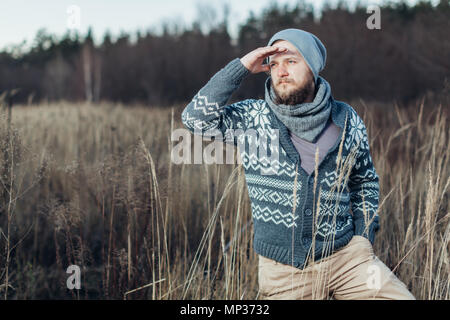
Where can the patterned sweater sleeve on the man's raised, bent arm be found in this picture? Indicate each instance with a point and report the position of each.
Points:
(208, 111)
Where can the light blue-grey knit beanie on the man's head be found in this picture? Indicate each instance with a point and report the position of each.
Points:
(309, 46)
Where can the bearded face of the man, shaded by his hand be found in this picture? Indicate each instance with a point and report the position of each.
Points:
(292, 80)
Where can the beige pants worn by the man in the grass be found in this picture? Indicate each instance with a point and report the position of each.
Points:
(352, 272)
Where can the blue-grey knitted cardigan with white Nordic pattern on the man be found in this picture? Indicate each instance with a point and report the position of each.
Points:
(292, 225)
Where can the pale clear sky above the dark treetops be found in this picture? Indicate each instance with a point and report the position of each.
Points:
(21, 19)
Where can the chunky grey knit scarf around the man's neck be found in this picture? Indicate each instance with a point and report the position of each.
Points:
(305, 120)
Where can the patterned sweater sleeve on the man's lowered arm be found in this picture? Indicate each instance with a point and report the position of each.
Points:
(364, 190)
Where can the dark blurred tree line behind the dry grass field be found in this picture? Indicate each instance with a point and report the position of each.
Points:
(405, 59)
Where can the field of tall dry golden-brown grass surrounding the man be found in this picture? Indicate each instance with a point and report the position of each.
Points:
(93, 185)
